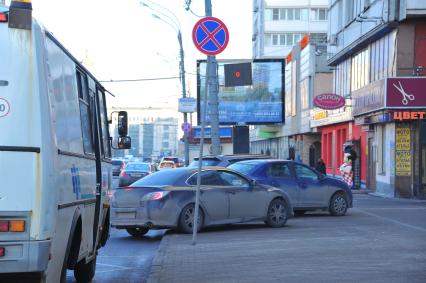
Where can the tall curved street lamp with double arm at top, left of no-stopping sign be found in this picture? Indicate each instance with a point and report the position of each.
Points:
(177, 28)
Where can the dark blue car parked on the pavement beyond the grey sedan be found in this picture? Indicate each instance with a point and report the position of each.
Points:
(307, 188)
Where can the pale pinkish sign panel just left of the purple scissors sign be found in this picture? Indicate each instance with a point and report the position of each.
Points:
(369, 98)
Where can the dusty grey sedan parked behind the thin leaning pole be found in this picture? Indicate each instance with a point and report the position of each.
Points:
(165, 199)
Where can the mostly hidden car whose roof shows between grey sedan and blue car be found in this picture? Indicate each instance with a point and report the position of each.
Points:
(226, 160)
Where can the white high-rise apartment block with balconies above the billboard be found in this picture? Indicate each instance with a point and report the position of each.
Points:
(280, 24)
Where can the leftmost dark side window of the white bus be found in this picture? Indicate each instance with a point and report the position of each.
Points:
(85, 113)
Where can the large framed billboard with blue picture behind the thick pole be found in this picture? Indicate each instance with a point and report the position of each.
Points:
(256, 104)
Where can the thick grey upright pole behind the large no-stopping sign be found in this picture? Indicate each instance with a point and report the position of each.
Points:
(213, 93)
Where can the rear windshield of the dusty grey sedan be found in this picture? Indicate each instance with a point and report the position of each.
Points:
(162, 178)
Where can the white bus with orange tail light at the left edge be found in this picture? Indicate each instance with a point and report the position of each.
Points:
(55, 156)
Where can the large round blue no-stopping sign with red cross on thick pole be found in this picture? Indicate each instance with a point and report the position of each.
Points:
(210, 35)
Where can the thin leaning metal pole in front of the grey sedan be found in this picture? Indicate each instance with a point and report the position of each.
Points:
(200, 160)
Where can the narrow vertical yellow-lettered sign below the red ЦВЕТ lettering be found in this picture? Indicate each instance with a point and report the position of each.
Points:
(403, 151)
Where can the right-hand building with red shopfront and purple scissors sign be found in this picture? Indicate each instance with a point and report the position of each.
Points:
(377, 49)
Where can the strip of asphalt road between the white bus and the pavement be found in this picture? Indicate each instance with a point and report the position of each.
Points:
(124, 258)
